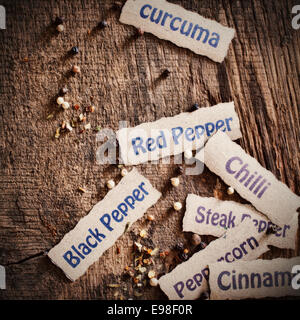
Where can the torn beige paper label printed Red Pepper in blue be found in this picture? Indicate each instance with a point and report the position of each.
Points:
(171, 136)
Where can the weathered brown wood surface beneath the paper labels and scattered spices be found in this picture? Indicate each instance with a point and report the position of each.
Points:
(40, 175)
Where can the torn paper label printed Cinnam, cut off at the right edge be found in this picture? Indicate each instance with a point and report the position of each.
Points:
(255, 279)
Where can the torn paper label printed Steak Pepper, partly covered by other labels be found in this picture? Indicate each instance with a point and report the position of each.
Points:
(210, 216)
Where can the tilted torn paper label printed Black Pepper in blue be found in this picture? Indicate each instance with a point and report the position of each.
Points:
(105, 223)
